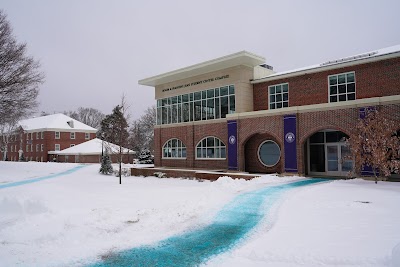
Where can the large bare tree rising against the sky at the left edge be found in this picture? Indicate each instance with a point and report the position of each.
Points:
(19, 76)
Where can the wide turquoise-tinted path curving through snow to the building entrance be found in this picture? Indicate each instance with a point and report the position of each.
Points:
(230, 226)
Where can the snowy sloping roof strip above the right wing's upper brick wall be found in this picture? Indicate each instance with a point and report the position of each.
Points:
(368, 55)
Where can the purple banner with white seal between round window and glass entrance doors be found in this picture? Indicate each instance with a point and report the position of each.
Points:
(290, 136)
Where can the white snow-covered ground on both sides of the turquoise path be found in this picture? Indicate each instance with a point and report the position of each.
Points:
(71, 219)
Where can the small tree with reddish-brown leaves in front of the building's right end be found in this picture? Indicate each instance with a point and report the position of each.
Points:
(376, 143)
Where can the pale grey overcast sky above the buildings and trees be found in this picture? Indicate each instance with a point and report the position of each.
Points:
(93, 51)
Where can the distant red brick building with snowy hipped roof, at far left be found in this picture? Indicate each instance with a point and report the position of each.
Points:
(38, 139)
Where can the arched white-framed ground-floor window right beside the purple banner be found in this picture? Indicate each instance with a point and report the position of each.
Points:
(211, 148)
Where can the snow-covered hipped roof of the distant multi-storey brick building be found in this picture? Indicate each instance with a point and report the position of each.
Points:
(55, 121)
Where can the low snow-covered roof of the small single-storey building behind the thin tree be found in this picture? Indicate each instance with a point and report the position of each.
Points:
(92, 147)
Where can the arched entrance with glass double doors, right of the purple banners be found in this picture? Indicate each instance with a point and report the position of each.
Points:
(327, 154)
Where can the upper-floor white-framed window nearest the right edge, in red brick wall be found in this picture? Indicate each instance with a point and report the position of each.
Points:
(342, 87)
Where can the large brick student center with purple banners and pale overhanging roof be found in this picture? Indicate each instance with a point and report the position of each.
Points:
(236, 113)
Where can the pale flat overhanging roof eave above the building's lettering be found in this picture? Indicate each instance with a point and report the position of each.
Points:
(236, 59)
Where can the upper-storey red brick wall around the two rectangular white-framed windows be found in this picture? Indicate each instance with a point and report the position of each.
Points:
(372, 80)
